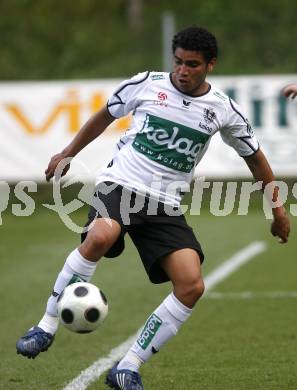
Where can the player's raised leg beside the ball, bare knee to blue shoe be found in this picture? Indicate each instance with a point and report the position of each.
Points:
(80, 265)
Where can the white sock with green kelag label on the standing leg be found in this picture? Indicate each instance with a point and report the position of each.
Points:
(159, 328)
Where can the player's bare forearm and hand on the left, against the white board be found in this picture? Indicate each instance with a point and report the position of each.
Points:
(90, 130)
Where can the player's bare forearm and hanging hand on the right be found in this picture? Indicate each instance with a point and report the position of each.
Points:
(261, 171)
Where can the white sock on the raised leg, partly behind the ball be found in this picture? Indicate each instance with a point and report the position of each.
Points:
(76, 269)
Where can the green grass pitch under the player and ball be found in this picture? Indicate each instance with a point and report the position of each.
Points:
(229, 343)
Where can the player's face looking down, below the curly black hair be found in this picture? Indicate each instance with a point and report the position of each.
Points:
(190, 70)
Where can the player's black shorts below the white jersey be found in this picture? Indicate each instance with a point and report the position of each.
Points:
(154, 233)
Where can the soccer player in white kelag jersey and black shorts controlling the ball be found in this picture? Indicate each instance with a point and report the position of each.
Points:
(174, 117)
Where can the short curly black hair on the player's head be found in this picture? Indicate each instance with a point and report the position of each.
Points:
(196, 39)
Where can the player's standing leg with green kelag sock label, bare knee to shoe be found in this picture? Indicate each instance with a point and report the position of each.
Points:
(184, 270)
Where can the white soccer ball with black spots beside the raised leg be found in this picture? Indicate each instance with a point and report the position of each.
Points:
(82, 307)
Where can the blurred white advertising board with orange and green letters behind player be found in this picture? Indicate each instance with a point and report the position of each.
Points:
(38, 119)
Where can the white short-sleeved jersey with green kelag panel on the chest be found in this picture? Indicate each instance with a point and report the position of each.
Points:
(170, 133)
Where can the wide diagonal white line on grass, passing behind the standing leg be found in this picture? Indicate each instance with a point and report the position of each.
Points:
(92, 373)
